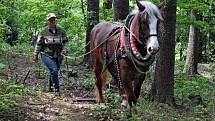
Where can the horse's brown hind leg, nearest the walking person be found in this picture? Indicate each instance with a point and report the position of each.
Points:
(100, 83)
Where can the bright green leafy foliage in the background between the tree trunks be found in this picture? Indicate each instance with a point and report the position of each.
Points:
(30, 15)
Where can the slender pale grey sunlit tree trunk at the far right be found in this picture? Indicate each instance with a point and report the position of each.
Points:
(192, 50)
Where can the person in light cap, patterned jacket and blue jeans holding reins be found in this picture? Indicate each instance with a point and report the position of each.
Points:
(52, 43)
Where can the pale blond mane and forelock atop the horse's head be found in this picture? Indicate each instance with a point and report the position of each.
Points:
(151, 9)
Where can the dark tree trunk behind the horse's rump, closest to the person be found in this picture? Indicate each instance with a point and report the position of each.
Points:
(92, 20)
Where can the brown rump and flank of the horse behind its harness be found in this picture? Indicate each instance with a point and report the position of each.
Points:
(99, 36)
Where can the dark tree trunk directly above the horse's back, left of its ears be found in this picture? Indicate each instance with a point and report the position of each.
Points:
(121, 9)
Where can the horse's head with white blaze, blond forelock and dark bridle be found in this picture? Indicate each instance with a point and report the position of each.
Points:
(148, 16)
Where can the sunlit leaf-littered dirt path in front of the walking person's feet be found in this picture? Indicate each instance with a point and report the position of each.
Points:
(47, 107)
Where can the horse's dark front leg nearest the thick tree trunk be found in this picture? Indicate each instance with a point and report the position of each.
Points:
(137, 85)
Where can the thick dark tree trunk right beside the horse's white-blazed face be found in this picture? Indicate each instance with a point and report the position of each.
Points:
(163, 86)
